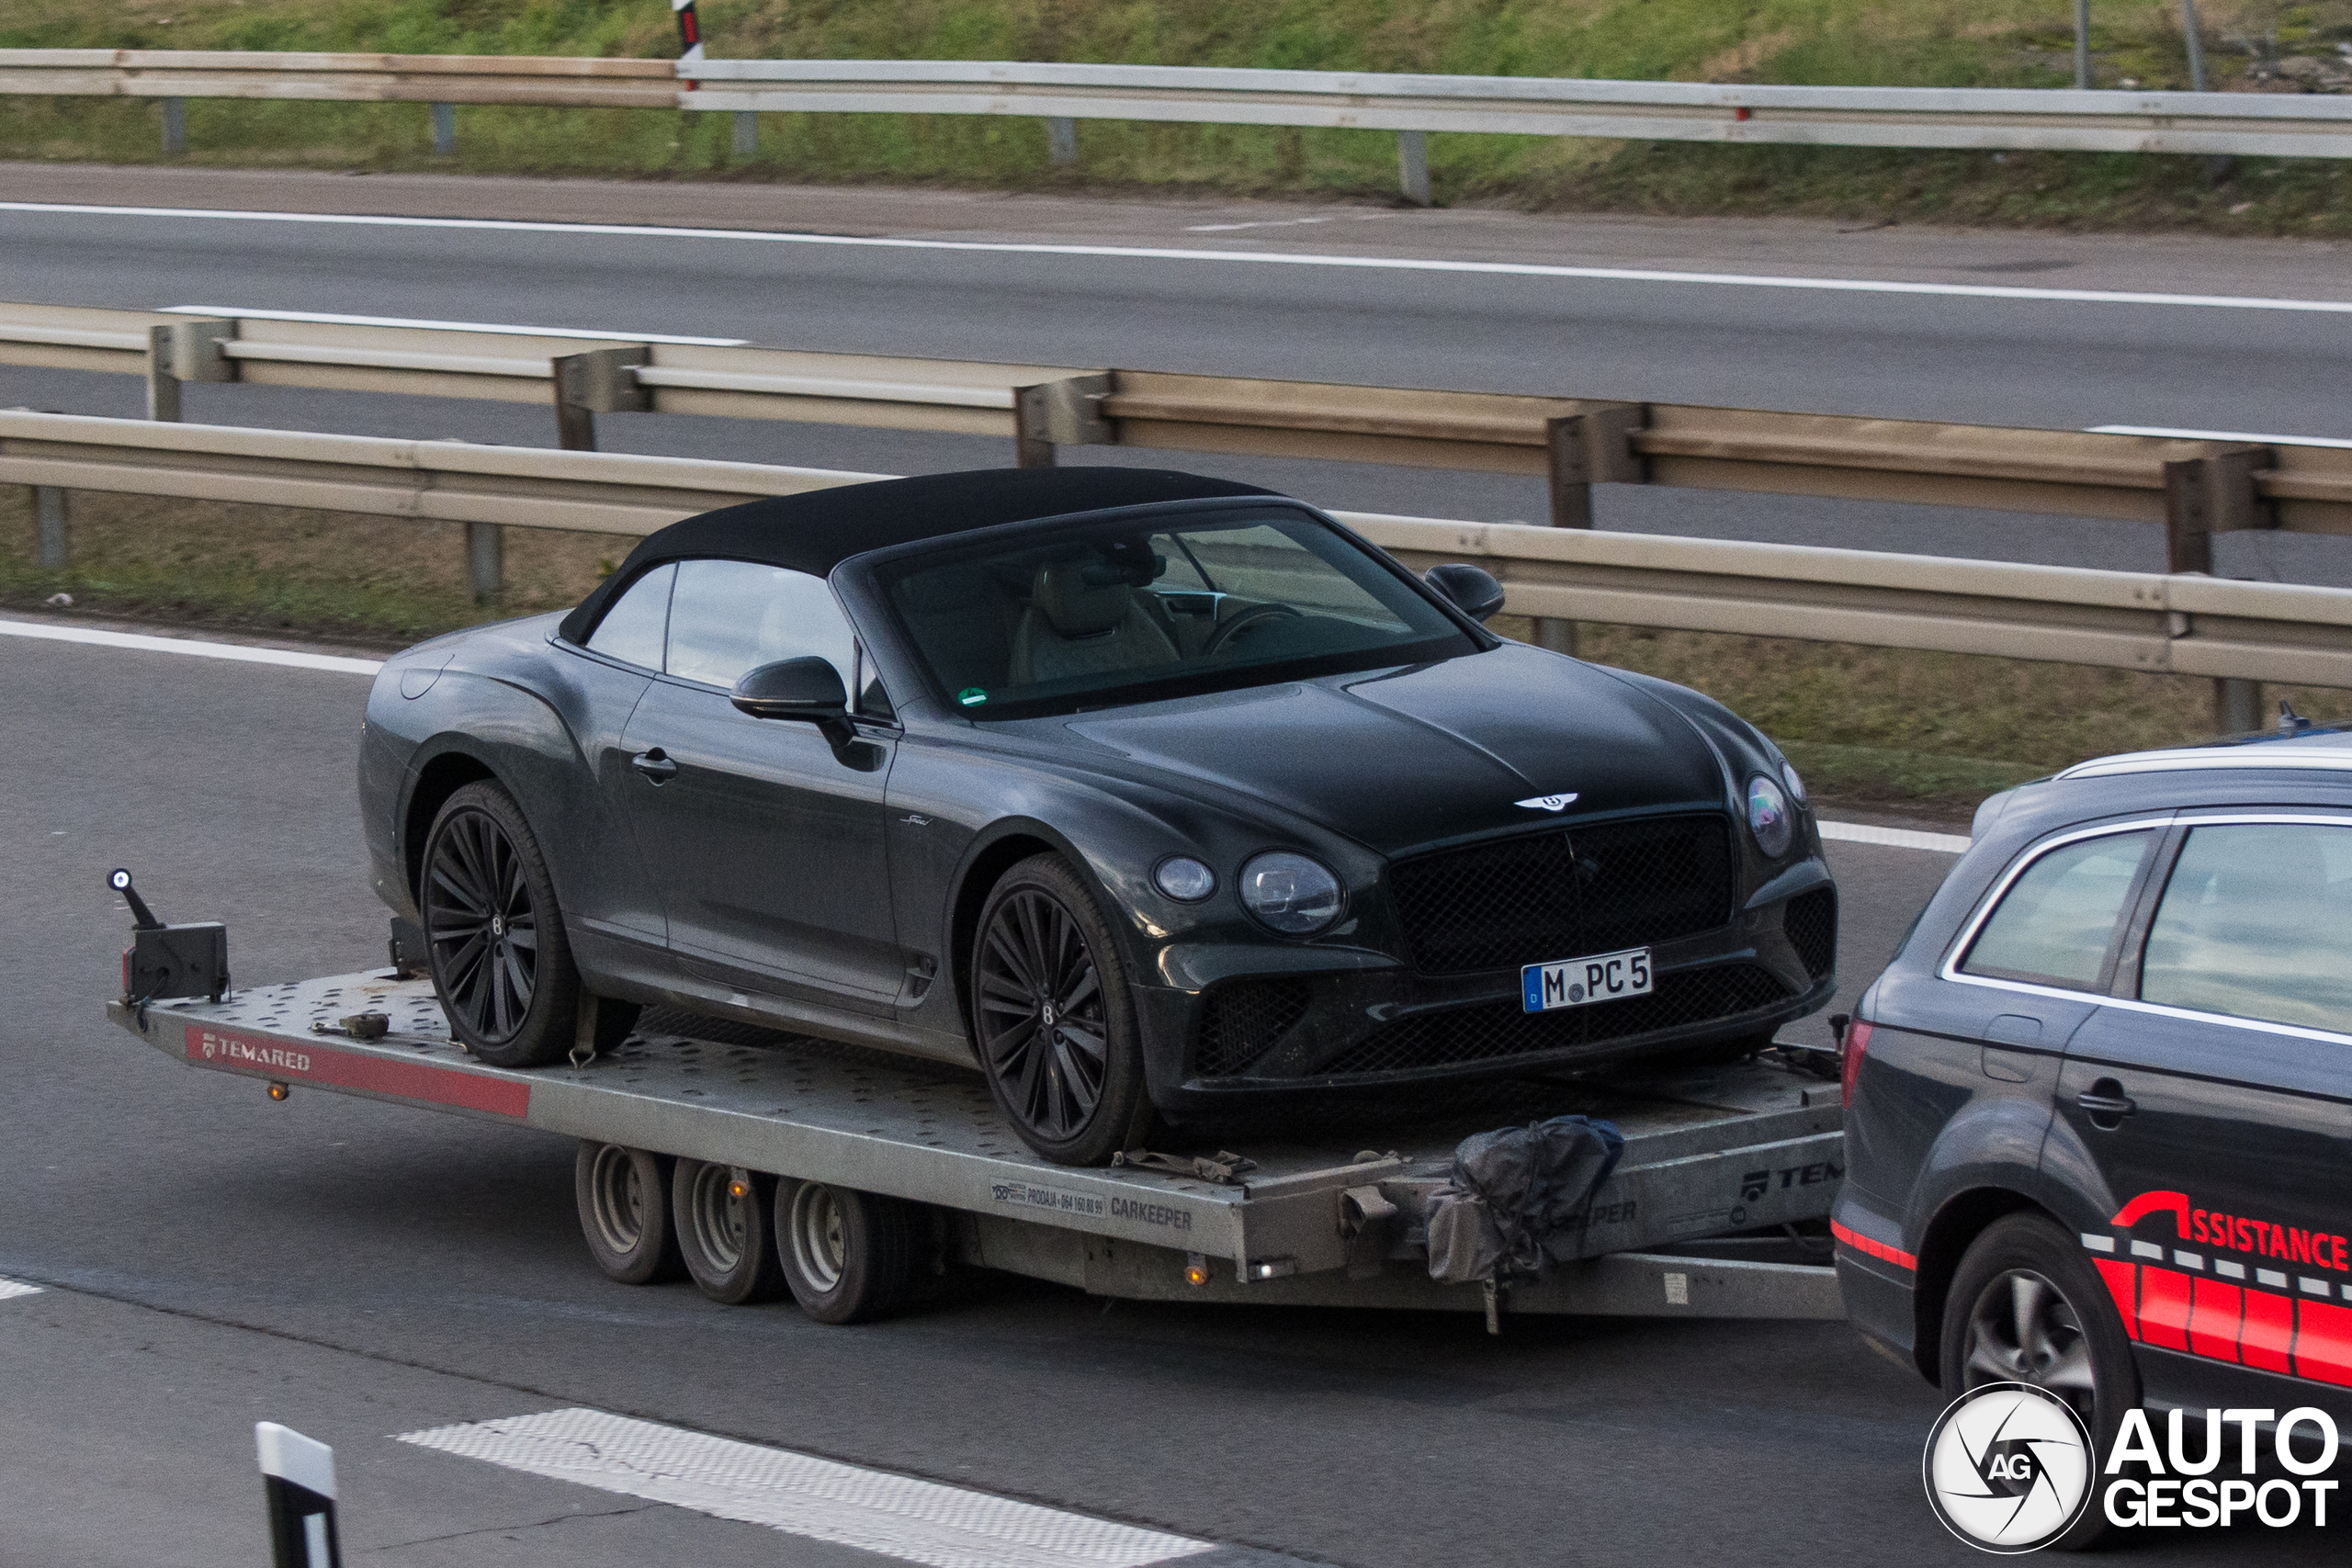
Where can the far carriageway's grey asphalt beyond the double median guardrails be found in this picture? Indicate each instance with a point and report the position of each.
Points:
(1916, 356)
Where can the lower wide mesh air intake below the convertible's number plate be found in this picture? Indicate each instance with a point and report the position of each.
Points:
(1502, 1028)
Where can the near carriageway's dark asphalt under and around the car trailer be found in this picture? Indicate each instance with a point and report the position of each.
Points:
(361, 1271)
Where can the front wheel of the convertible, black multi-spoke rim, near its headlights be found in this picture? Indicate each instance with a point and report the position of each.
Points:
(1048, 989)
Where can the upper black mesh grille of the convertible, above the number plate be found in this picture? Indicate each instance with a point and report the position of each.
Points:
(1565, 894)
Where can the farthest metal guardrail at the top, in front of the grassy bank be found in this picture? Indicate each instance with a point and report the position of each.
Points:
(1412, 107)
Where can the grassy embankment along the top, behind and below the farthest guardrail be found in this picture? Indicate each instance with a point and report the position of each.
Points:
(1932, 43)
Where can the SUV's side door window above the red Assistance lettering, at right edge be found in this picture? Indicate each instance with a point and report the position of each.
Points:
(2257, 923)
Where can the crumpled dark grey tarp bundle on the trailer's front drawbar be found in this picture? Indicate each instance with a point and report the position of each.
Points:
(1518, 1200)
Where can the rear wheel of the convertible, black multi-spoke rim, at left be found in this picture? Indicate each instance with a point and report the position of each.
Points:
(495, 937)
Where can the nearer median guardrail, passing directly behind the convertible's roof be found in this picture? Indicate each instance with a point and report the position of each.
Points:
(2113, 619)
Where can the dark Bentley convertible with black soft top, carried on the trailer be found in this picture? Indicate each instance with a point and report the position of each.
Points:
(1140, 791)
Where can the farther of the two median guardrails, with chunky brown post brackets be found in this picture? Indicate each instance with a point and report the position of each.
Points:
(2196, 488)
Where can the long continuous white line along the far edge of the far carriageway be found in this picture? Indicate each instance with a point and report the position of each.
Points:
(1147, 253)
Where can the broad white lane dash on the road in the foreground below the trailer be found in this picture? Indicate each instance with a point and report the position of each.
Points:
(918, 1522)
